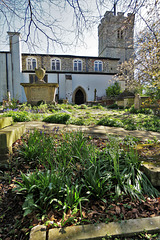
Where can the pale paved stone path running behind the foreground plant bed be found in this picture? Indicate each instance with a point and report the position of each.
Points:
(95, 130)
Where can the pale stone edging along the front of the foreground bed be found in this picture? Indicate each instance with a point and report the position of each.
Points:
(97, 231)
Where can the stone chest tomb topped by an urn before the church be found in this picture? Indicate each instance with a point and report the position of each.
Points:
(40, 91)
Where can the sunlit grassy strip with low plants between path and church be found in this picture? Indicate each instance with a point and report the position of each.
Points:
(129, 119)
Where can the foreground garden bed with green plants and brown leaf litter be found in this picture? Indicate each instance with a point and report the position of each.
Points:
(97, 191)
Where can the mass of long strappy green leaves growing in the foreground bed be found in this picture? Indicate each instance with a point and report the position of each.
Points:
(75, 170)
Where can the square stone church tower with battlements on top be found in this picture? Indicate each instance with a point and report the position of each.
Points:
(115, 34)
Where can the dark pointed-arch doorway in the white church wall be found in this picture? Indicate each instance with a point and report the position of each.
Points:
(79, 96)
